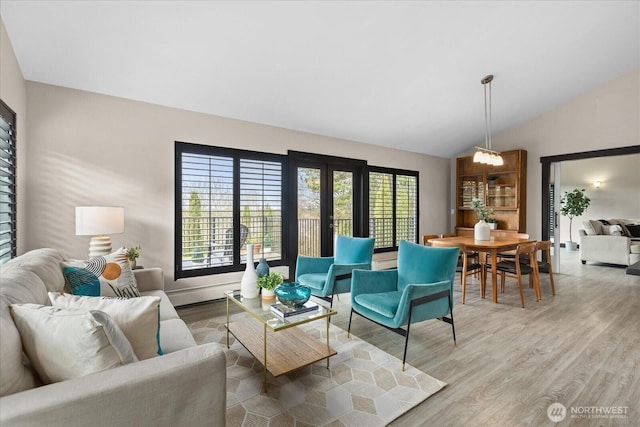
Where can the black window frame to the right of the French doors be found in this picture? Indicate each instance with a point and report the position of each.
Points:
(395, 173)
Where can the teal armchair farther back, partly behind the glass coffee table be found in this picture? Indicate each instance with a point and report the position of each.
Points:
(327, 276)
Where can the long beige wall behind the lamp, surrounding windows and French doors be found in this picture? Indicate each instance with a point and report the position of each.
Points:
(91, 149)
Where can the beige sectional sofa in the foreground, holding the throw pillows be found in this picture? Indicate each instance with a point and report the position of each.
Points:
(184, 387)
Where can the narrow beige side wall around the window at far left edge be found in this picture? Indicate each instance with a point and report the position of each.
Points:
(13, 93)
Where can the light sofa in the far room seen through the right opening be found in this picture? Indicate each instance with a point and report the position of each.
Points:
(611, 243)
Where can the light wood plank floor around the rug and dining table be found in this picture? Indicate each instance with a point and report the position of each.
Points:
(580, 348)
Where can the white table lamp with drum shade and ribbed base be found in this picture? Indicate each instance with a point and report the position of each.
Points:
(97, 221)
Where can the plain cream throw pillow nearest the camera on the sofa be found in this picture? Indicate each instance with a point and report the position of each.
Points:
(65, 343)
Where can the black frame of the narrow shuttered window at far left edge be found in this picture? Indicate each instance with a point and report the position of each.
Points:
(9, 206)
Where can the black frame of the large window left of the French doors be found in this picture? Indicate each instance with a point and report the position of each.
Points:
(237, 155)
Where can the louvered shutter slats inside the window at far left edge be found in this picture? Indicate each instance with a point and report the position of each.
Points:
(8, 241)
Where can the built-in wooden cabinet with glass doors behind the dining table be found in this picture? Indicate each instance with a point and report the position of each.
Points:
(504, 188)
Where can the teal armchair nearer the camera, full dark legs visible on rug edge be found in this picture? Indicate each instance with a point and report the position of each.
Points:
(419, 289)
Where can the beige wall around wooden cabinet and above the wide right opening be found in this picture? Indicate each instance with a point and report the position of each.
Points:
(605, 117)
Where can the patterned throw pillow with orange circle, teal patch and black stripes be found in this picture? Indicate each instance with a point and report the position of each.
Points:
(108, 275)
